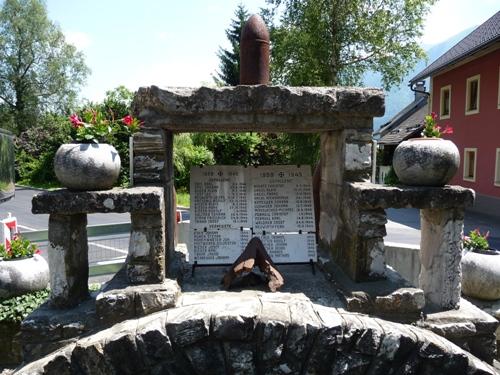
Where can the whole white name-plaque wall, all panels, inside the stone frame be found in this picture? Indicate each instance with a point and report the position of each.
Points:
(232, 204)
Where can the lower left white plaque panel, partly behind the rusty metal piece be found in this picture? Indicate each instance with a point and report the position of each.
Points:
(222, 246)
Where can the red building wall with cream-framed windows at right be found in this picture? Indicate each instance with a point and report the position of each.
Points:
(481, 130)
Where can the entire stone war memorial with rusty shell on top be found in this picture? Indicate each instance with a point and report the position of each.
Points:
(353, 315)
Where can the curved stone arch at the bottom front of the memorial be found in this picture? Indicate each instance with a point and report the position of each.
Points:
(258, 332)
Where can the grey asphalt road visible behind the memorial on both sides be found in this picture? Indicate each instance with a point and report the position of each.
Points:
(403, 225)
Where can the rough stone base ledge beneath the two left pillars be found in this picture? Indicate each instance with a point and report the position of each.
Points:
(49, 328)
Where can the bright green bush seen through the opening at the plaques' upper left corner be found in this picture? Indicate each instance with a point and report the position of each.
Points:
(187, 155)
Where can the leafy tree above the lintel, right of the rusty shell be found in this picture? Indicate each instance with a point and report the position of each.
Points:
(333, 42)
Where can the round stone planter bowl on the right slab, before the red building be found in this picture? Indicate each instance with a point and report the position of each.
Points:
(426, 161)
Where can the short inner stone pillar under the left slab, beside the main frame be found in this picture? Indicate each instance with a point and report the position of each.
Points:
(146, 259)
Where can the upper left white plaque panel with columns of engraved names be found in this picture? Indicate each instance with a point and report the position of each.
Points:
(220, 197)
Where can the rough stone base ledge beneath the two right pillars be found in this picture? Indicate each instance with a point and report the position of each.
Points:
(393, 299)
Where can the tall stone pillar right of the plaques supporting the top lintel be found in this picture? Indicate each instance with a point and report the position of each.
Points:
(346, 156)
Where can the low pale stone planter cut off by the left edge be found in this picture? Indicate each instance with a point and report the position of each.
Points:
(20, 276)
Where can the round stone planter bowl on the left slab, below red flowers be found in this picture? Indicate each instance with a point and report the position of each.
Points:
(87, 166)
